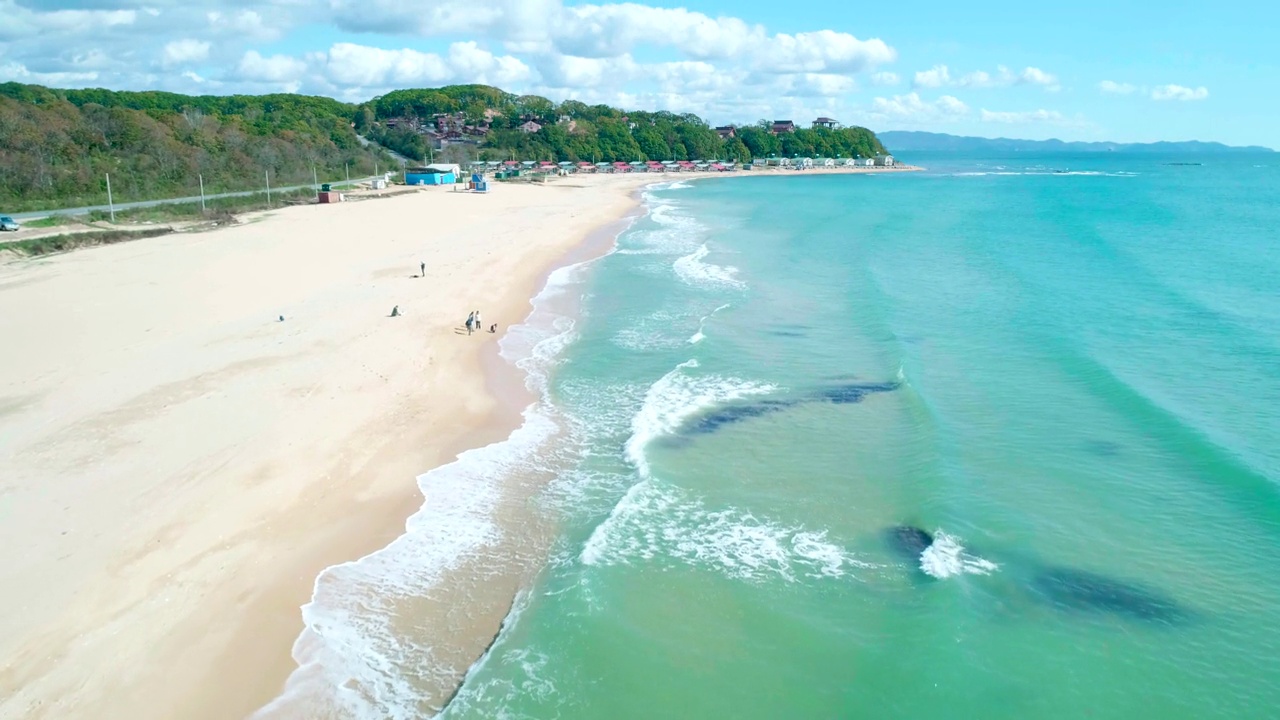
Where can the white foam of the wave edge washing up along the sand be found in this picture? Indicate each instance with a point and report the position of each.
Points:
(354, 660)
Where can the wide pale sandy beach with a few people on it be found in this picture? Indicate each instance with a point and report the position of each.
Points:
(177, 466)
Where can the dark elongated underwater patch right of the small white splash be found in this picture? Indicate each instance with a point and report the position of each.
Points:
(1078, 590)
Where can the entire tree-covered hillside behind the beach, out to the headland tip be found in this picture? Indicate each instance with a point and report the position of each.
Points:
(57, 147)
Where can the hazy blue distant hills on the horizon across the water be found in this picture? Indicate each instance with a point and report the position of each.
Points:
(908, 142)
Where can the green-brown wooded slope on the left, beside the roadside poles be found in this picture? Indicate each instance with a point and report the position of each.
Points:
(57, 147)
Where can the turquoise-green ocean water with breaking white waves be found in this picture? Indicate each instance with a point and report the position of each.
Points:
(1066, 370)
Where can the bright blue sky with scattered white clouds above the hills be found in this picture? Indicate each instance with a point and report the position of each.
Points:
(1085, 71)
